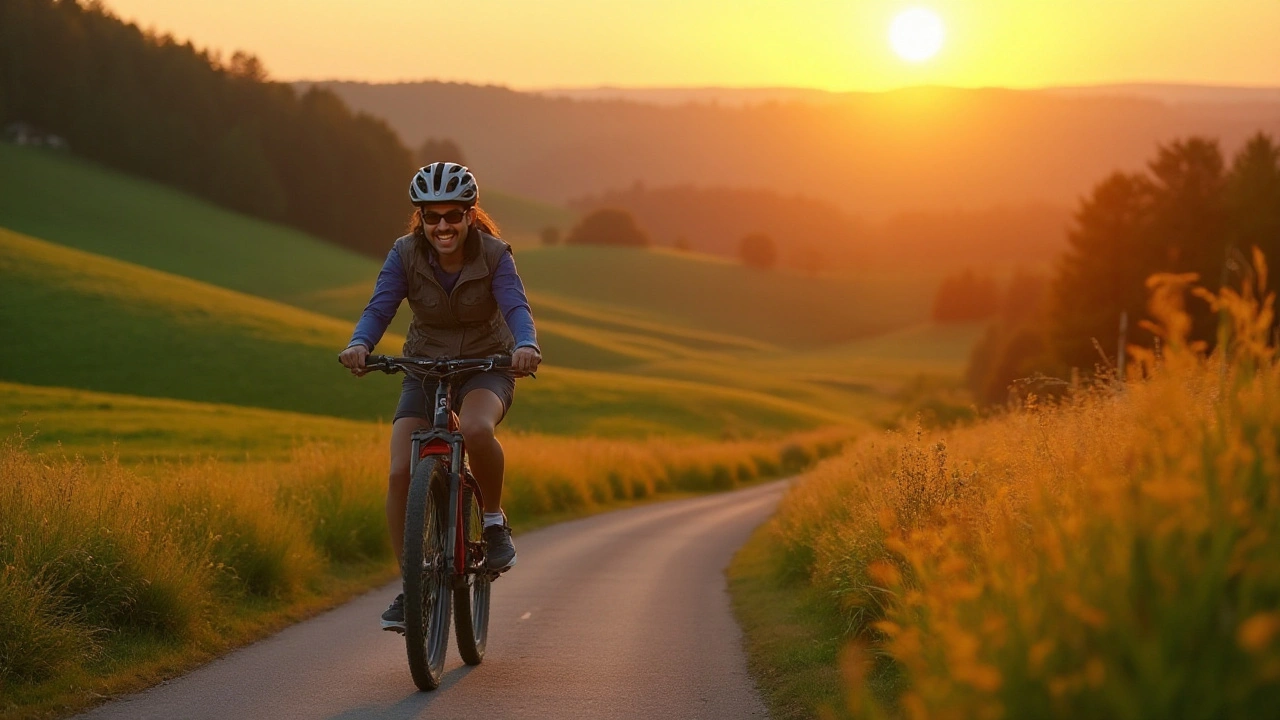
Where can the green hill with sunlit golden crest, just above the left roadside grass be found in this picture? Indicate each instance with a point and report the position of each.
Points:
(97, 323)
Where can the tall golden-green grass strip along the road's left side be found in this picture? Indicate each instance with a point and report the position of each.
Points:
(93, 552)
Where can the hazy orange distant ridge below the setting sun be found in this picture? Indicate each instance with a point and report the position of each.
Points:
(871, 154)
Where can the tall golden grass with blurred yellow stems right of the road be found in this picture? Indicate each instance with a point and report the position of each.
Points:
(1114, 555)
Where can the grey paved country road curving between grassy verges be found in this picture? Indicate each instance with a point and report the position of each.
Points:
(619, 616)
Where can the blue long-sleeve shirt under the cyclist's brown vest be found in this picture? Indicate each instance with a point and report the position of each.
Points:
(392, 289)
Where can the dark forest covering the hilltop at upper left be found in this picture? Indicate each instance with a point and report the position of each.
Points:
(222, 130)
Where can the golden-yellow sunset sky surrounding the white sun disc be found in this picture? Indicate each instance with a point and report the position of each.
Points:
(836, 45)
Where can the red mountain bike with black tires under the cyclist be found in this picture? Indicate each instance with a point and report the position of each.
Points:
(444, 530)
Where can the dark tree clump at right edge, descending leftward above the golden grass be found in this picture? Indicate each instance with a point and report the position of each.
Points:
(1188, 213)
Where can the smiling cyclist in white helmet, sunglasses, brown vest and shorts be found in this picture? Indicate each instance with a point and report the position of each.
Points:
(468, 302)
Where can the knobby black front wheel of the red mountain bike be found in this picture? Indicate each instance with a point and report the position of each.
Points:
(428, 522)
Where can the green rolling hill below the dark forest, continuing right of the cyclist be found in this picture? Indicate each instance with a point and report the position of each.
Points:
(688, 298)
